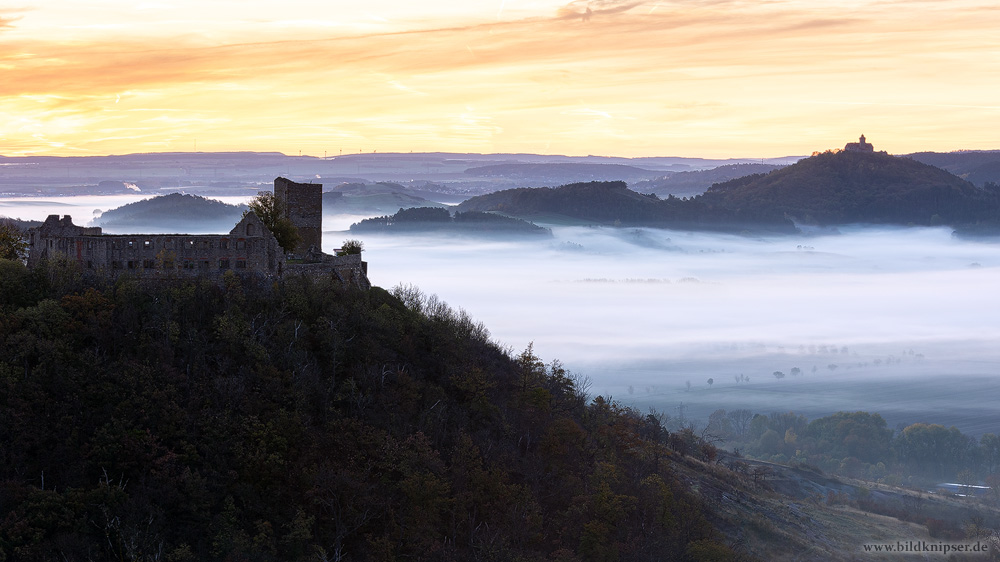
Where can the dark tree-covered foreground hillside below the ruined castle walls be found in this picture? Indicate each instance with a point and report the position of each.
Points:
(304, 421)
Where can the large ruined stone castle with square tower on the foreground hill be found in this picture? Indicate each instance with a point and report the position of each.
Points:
(248, 248)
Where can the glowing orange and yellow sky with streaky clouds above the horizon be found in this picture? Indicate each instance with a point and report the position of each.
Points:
(711, 78)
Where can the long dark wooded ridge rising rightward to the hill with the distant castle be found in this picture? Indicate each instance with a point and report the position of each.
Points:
(826, 189)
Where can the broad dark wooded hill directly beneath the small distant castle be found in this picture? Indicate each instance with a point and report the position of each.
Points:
(852, 187)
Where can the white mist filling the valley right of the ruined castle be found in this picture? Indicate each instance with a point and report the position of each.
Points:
(901, 321)
